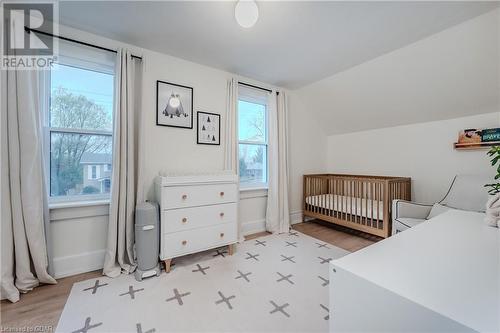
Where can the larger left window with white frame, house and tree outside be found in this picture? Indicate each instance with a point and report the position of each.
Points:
(78, 98)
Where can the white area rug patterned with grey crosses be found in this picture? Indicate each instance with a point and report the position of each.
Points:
(277, 283)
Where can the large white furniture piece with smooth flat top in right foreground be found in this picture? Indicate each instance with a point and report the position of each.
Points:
(449, 265)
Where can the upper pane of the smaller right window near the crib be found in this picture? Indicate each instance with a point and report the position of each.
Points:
(252, 122)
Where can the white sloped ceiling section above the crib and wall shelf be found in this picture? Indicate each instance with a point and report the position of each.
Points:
(451, 74)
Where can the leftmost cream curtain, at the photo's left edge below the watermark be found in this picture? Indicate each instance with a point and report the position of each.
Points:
(24, 209)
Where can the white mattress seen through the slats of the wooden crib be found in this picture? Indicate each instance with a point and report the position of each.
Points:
(349, 205)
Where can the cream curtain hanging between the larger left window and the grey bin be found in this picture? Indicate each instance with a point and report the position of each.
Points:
(120, 245)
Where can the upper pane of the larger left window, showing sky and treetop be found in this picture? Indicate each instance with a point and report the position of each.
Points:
(80, 98)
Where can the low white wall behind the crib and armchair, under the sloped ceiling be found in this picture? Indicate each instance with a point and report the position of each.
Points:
(422, 151)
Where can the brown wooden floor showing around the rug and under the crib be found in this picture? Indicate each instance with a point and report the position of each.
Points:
(43, 306)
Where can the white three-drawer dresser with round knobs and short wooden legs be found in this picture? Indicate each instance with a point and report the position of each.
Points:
(197, 213)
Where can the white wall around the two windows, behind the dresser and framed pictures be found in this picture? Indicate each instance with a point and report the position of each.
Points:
(79, 233)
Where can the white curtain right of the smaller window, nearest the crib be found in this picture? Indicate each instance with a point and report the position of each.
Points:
(277, 213)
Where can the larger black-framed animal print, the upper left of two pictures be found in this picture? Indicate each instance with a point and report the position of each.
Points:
(174, 105)
